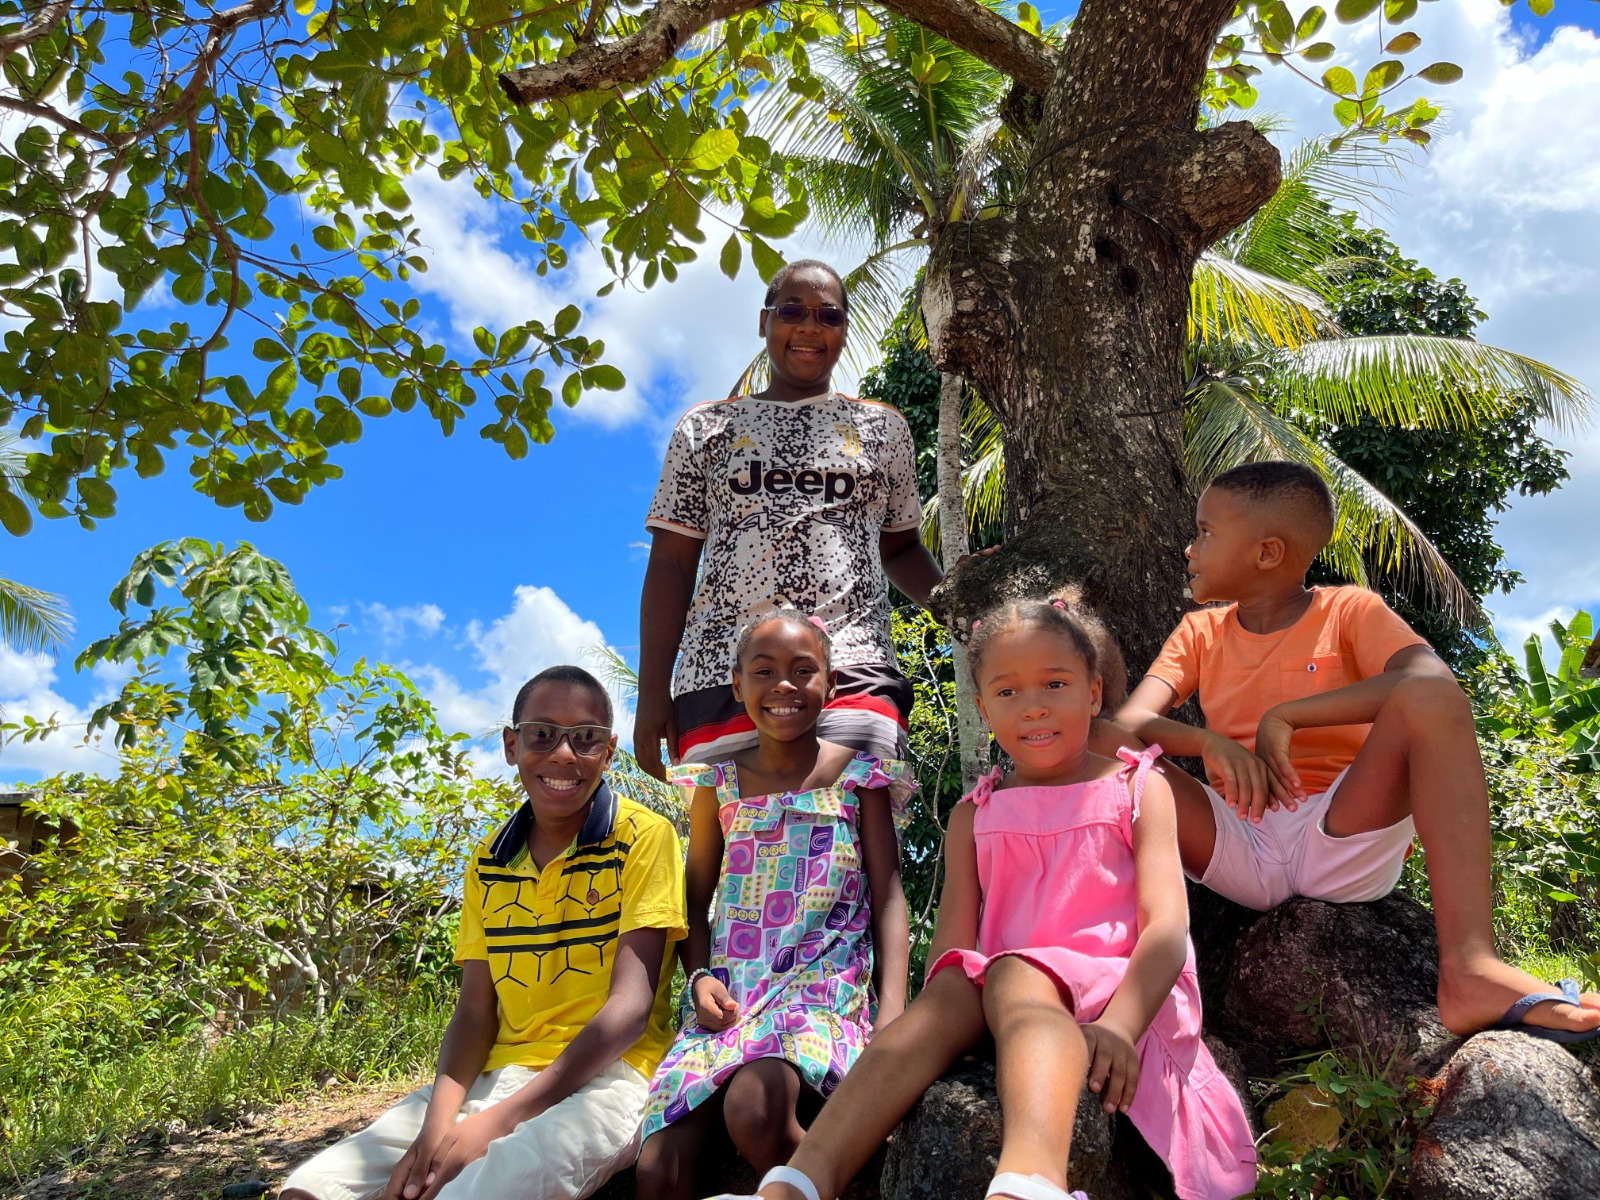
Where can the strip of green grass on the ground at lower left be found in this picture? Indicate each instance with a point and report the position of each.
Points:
(78, 1084)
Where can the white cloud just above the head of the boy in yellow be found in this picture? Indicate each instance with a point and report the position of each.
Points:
(540, 631)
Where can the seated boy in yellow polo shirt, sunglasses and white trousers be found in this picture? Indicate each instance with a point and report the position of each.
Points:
(570, 918)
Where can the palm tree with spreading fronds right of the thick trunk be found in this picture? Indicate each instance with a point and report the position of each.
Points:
(1268, 362)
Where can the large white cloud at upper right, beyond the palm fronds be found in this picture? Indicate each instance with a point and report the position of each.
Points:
(1508, 201)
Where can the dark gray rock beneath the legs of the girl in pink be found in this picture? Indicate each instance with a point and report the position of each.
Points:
(950, 1145)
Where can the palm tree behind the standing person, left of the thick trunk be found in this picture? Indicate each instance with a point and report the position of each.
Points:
(903, 142)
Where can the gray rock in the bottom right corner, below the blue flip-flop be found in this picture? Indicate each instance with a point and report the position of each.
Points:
(1519, 1119)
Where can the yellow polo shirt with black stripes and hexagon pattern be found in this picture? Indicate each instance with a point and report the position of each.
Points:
(550, 937)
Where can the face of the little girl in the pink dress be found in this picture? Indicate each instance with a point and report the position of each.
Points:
(1038, 694)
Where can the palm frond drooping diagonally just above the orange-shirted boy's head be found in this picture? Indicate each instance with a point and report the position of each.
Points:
(1226, 426)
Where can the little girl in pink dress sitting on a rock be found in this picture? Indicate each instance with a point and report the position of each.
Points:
(1063, 932)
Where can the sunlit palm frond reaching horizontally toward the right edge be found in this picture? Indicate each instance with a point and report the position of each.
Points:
(1418, 380)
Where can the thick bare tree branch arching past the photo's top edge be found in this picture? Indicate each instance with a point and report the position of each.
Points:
(633, 60)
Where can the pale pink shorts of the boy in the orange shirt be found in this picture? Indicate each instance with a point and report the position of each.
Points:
(1294, 855)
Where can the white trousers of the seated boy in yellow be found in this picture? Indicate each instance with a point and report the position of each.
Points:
(566, 1153)
